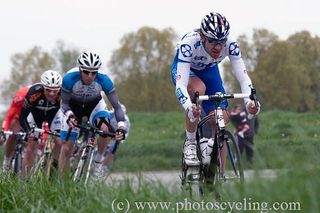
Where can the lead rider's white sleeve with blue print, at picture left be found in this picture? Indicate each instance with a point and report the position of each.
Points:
(182, 79)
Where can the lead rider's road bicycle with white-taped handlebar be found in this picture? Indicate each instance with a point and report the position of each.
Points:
(212, 175)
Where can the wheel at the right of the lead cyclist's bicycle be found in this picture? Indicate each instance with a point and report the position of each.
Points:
(234, 157)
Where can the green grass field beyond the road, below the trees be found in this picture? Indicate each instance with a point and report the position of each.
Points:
(155, 141)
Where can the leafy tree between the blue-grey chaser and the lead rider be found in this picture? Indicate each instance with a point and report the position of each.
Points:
(141, 67)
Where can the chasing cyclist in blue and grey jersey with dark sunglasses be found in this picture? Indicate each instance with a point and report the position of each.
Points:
(82, 100)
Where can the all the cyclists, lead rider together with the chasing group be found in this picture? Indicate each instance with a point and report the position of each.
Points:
(63, 102)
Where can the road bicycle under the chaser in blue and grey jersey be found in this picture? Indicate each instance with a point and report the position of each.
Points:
(87, 149)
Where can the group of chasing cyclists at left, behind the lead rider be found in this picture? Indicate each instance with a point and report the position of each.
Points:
(63, 102)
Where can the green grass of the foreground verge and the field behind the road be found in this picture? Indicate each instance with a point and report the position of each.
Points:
(287, 141)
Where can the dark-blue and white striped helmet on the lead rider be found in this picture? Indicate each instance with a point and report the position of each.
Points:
(215, 26)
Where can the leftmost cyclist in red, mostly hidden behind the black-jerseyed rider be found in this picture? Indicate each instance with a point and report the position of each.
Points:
(11, 122)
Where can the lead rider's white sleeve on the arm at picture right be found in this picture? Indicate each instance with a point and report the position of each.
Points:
(239, 69)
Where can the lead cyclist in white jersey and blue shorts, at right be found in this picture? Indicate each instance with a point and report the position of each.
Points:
(195, 68)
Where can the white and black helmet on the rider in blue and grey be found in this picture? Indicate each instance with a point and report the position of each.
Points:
(89, 61)
